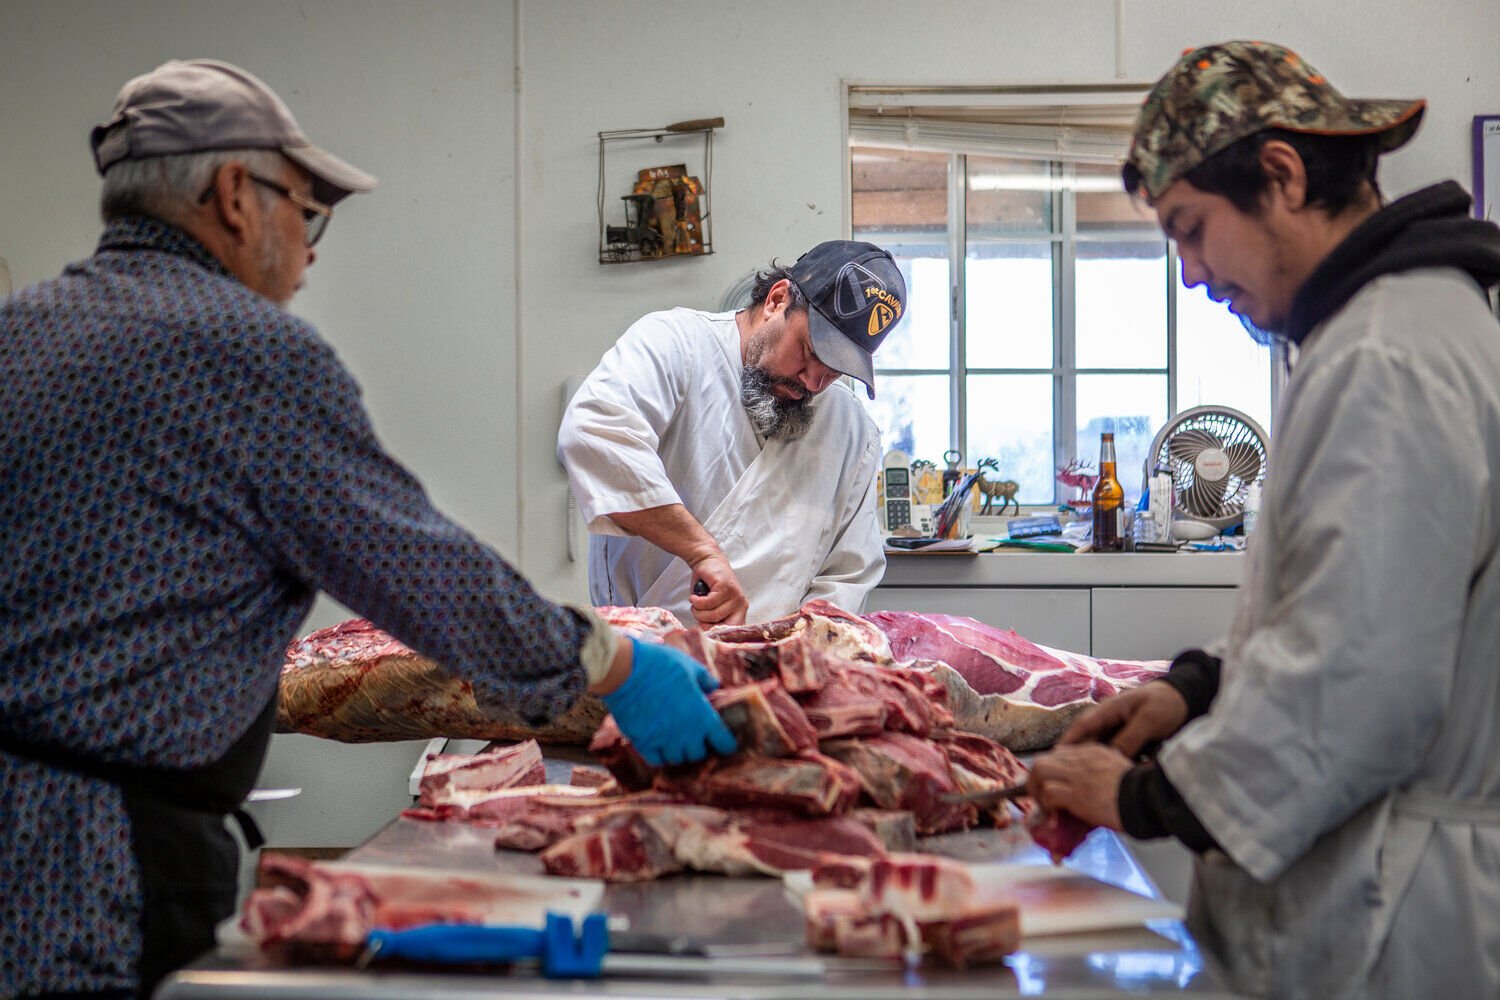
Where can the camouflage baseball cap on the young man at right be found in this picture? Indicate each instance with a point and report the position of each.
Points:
(1222, 94)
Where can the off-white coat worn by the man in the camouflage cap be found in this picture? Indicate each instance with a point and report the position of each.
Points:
(1351, 764)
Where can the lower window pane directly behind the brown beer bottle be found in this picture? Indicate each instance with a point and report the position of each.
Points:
(1135, 407)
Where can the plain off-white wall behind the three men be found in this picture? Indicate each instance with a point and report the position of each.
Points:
(425, 284)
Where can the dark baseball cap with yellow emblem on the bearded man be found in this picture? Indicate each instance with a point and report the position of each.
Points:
(856, 296)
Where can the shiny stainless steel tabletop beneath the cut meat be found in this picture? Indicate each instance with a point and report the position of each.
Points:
(755, 917)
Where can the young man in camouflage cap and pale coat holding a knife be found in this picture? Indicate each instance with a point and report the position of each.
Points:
(1336, 764)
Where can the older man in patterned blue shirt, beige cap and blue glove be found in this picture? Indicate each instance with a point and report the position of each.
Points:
(187, 466)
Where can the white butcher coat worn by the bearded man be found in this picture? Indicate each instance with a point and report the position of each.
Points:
(661, 422)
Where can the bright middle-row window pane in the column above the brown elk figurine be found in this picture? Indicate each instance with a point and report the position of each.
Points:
(1009, 305)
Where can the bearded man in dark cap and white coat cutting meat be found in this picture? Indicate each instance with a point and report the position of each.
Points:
(721, 476)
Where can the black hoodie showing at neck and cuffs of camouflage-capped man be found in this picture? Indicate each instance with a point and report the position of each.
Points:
(1427, 229)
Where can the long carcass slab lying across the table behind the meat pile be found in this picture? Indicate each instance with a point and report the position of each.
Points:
(856, 677)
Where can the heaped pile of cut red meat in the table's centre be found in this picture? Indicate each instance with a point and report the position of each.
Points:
(838, 755)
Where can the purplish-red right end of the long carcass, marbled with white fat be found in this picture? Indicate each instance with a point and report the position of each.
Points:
(1003, 686)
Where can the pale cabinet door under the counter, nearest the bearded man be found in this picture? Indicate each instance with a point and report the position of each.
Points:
(1052, 617)
